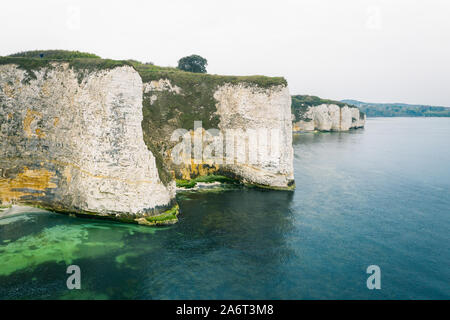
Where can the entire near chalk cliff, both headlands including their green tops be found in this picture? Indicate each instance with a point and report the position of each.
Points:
(94, 137)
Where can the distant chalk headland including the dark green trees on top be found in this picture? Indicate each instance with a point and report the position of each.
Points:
(312, 113)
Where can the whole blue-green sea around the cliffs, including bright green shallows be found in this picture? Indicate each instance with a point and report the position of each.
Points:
(375, 196)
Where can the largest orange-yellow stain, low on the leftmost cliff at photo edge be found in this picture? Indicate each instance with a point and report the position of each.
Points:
(14, 189)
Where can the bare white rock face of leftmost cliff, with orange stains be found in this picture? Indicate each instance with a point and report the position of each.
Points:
(74, 146)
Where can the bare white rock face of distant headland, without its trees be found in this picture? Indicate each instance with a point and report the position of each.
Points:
(330, 117)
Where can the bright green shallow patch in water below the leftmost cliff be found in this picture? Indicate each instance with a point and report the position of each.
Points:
(66, 243)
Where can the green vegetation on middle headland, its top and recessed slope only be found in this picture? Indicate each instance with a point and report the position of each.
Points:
(166, 110)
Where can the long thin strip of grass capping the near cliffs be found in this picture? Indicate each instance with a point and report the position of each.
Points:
(31, 61)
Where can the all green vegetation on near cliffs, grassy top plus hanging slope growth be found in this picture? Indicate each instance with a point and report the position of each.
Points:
(163, 110)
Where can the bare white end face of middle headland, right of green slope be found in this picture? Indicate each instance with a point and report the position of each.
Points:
(261, 121)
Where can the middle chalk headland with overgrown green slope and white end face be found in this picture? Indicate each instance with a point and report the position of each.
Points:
(246, 113)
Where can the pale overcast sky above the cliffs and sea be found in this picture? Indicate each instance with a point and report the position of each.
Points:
(376, 51)
